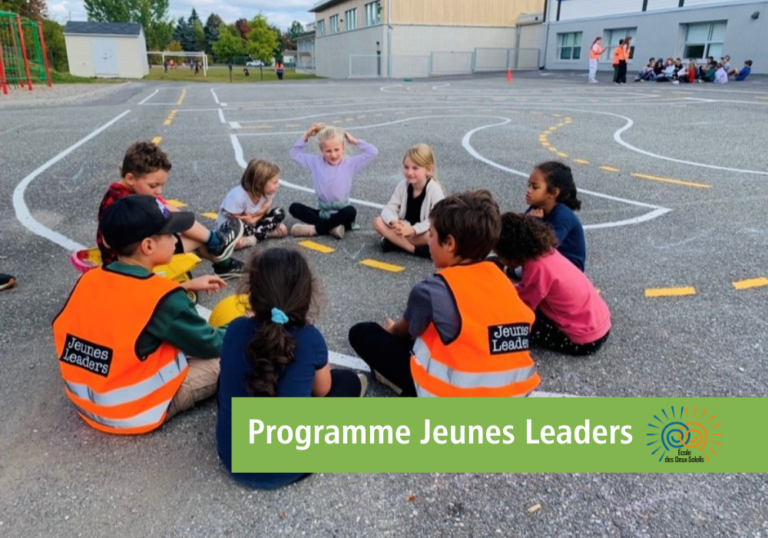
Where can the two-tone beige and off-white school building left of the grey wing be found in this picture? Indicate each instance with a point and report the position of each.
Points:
(419, 38)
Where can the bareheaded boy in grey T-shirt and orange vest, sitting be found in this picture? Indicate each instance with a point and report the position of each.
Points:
(465, 331)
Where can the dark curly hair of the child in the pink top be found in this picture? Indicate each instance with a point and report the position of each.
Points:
(524, 238)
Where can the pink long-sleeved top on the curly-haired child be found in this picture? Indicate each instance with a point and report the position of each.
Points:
(556, 287)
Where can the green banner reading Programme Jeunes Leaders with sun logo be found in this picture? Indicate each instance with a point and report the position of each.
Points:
(565, 435)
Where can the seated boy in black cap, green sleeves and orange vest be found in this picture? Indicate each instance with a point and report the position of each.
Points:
(124, 336)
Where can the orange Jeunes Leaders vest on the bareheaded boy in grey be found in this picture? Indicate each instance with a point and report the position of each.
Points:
(490, 356)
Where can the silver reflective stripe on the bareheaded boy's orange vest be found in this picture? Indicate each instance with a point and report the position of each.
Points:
(466, 380)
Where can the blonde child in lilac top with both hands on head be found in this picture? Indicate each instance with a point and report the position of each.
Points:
(332, 175)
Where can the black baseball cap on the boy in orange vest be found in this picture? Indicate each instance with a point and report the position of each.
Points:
(138, 216)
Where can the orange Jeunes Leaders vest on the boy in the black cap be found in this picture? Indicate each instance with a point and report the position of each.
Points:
(113, 389)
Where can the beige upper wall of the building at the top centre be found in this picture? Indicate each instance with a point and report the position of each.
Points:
(462, 12)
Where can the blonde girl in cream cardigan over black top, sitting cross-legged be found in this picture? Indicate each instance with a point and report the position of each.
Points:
(404, 221)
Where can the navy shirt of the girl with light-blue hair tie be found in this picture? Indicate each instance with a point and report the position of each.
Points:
(311, 354)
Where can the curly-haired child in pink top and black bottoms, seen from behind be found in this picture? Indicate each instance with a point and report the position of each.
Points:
(571, 317)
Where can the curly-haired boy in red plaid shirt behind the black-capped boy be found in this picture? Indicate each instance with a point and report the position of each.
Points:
(145, 171)
